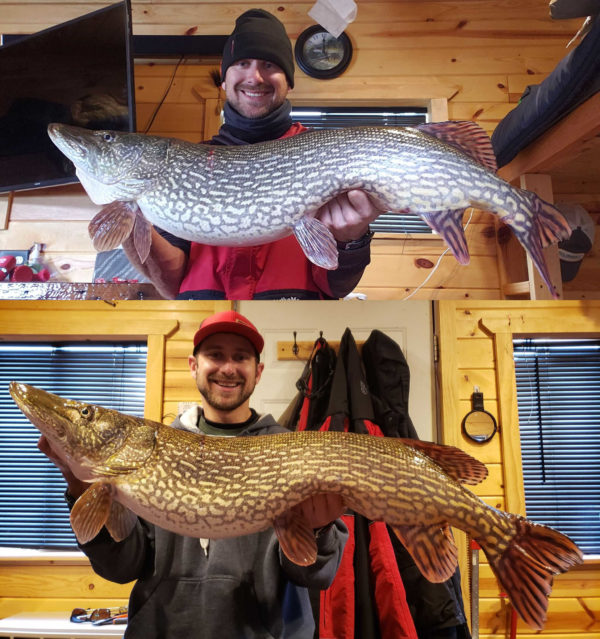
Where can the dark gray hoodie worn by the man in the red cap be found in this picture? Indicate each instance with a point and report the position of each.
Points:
(238, 588)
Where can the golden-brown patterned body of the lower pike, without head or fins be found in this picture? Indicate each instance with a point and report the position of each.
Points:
(377, 477)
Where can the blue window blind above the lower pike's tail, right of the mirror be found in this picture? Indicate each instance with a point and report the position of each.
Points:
(558, 392)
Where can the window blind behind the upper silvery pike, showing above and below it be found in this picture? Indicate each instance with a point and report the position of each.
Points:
(337, 117)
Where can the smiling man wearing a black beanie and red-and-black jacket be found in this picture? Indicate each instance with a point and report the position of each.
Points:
(257, 72)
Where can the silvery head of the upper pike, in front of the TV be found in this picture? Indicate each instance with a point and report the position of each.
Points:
(111, 165)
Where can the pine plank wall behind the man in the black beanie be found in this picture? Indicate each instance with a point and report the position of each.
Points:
(474, 57)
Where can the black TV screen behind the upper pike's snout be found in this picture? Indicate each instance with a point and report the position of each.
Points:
(79, 72)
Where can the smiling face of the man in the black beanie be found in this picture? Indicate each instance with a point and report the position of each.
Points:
(255, 88)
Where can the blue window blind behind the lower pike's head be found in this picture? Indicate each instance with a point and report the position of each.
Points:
(33, 513)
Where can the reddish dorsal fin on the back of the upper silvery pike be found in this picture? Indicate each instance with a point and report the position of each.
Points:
(467, 137)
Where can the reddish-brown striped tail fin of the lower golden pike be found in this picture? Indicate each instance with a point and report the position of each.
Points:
(526, 567)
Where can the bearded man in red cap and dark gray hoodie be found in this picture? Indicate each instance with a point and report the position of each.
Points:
(237, 588)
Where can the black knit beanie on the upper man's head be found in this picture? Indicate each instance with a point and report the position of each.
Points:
(259, 35)
